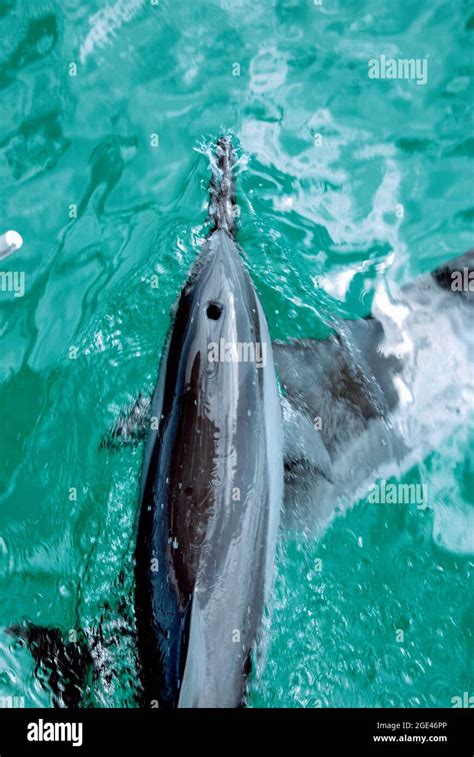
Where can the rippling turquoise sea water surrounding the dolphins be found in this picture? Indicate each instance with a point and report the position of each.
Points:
(105, 136)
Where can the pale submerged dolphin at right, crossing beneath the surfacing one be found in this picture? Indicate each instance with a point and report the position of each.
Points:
(386, 390)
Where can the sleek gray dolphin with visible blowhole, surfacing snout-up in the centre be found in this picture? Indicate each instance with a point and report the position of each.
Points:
(212, 481)
